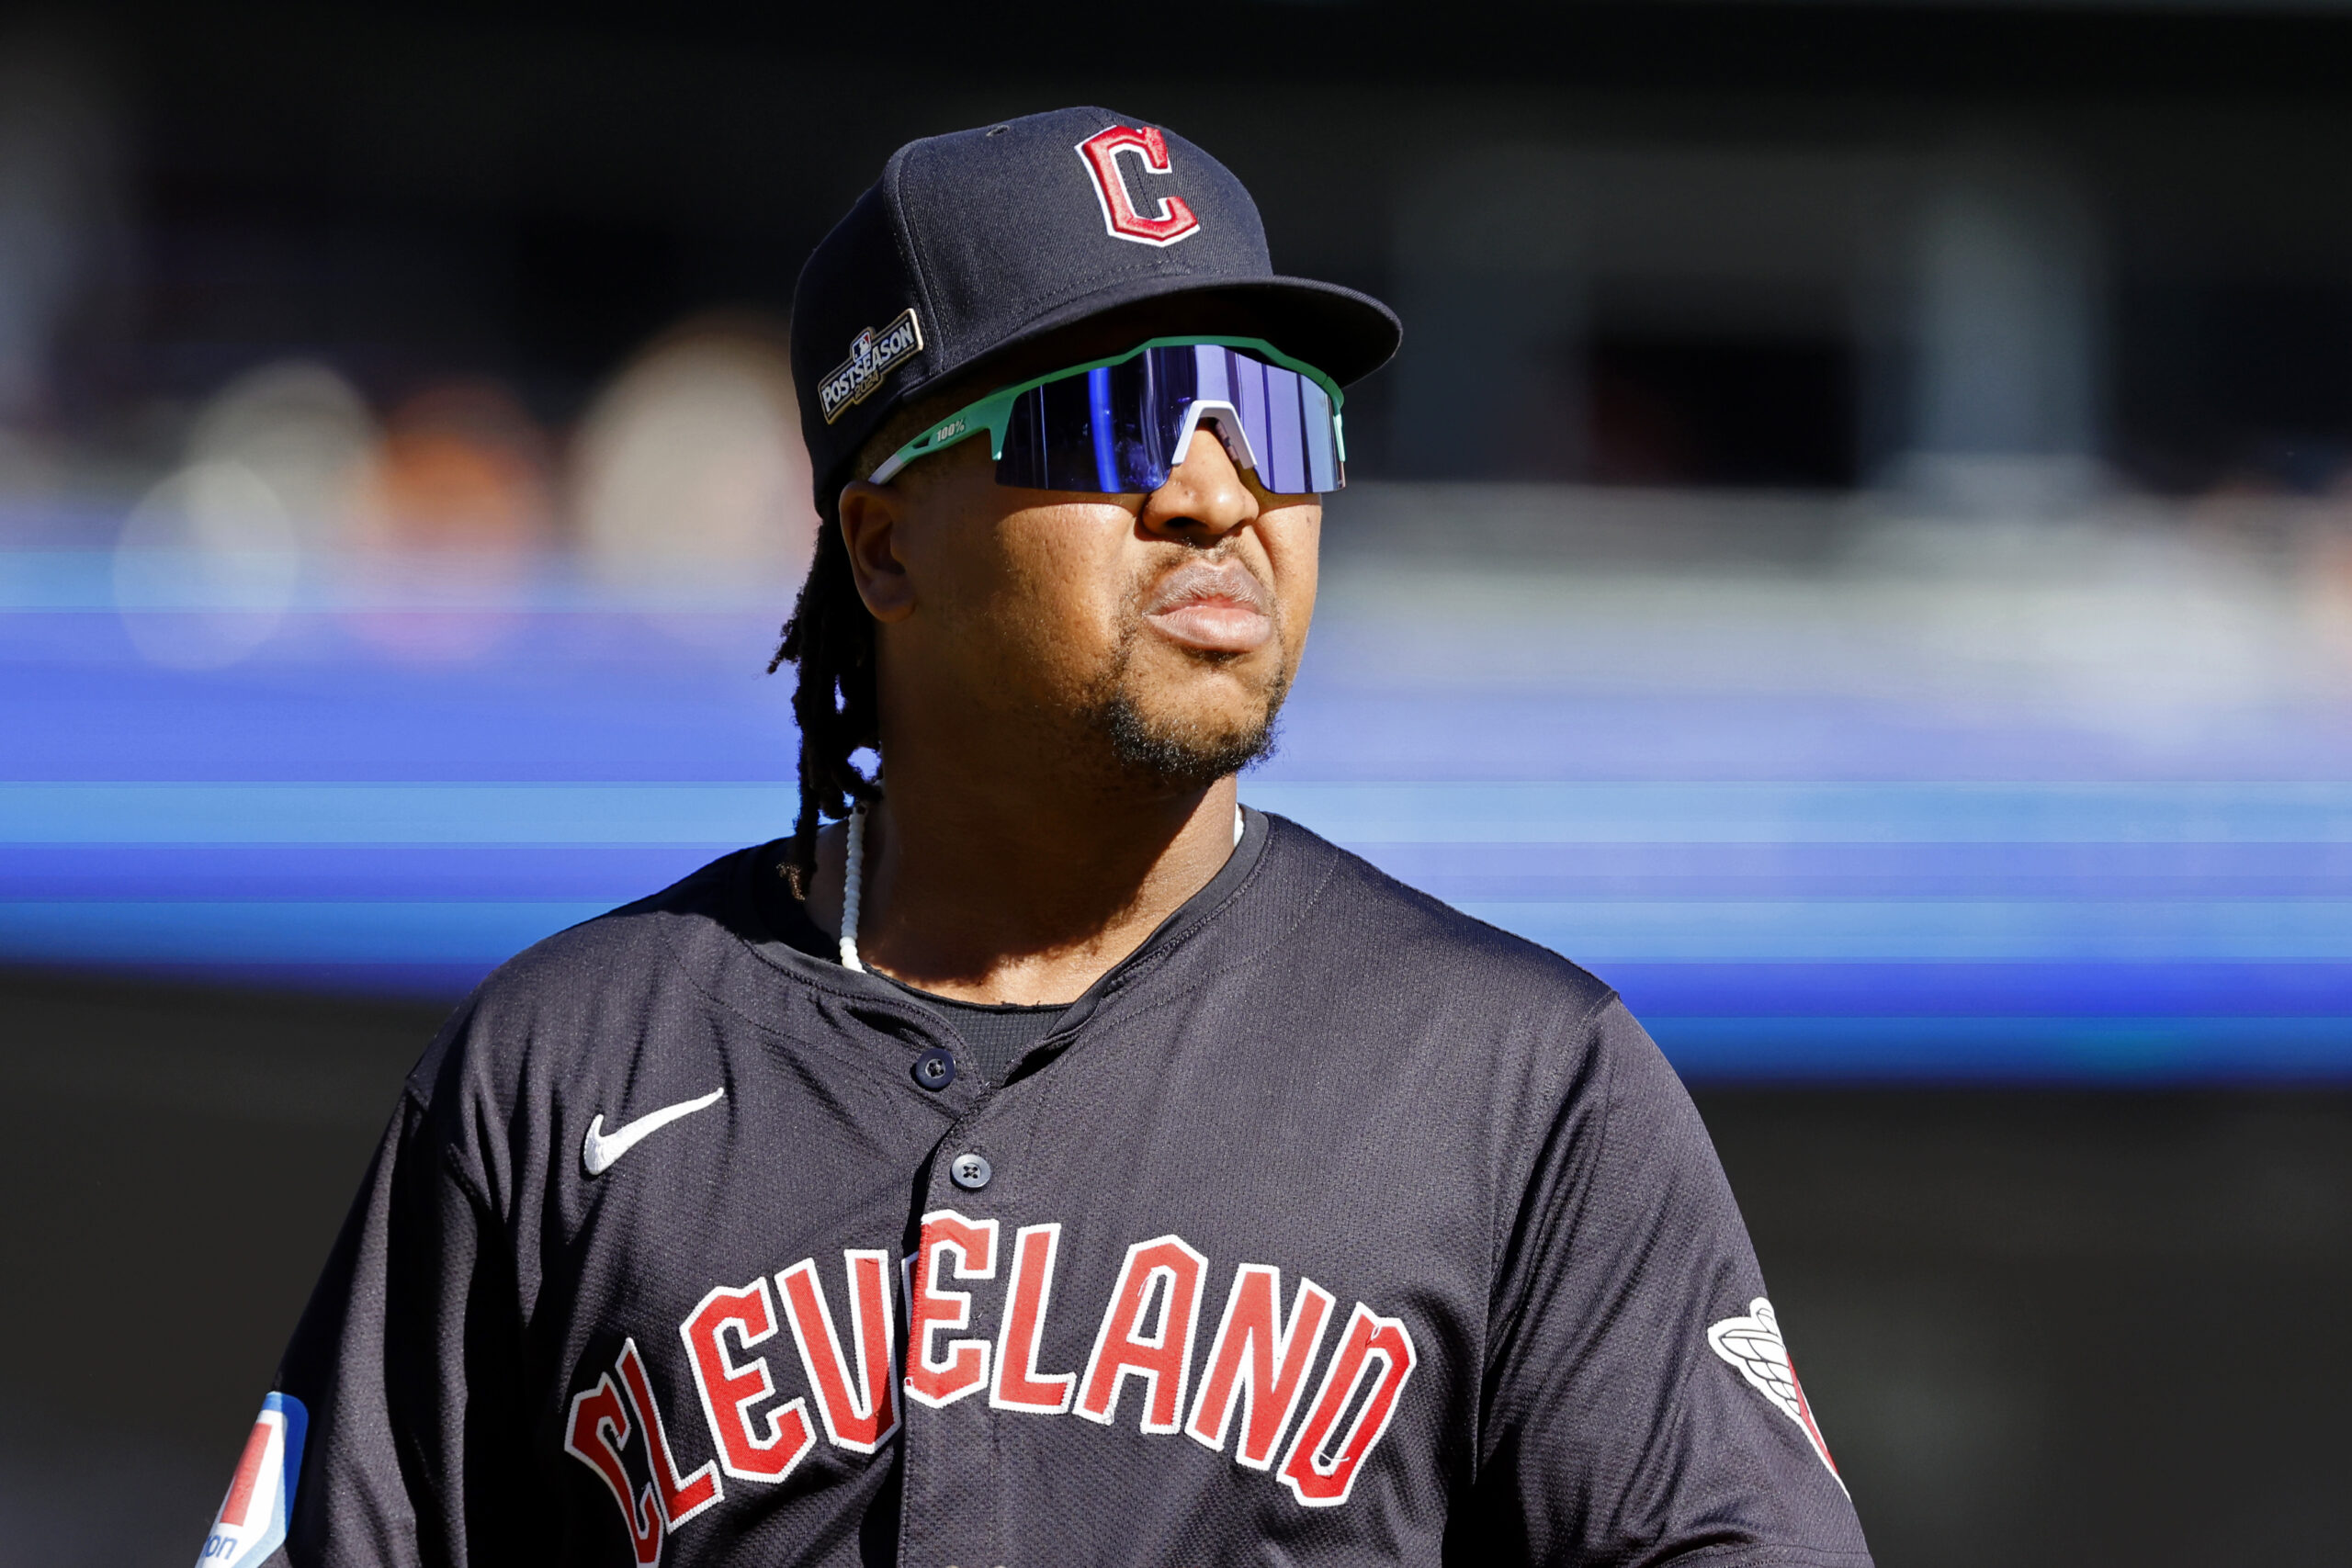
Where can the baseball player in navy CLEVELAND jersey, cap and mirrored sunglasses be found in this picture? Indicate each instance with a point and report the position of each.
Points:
(1048, 1160)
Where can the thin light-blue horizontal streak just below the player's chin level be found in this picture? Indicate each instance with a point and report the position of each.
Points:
(1354, 815)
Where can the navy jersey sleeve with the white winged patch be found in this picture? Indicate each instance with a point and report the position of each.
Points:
(1638, 1400)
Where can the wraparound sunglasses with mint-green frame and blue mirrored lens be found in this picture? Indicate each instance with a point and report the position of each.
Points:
(1121, 427)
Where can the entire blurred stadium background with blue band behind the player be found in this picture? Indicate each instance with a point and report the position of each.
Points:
(1857, 549)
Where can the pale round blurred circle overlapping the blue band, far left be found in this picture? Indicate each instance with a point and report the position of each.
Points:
(206, 568)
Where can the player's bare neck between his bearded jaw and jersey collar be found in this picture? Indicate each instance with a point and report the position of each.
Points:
(1022, 892)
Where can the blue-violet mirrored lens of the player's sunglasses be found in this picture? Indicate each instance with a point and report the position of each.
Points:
(1116, 429)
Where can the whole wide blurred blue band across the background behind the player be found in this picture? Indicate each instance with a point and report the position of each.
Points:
(1793, 880)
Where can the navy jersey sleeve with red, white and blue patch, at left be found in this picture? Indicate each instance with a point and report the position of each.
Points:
(392, 1426)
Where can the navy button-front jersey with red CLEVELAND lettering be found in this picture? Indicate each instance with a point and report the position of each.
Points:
(1328, 1228)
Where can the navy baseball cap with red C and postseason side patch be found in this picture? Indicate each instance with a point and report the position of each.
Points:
(980, 243)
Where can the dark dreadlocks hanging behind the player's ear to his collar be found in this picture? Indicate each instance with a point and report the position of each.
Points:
(836, 704)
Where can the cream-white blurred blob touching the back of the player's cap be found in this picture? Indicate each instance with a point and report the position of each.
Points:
(690, 481)
